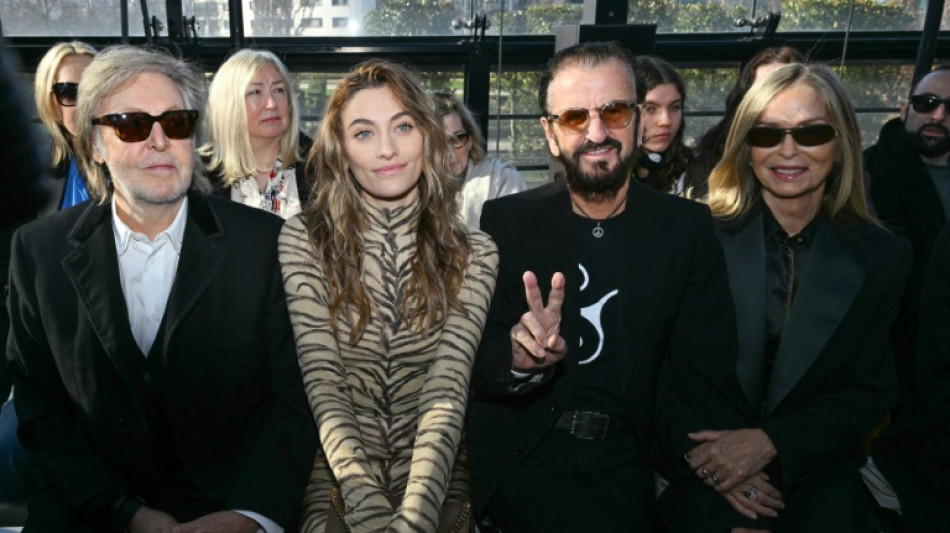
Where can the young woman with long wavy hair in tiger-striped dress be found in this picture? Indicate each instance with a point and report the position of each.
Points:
(388, 292)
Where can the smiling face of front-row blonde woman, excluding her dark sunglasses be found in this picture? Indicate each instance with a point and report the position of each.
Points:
(787, 171)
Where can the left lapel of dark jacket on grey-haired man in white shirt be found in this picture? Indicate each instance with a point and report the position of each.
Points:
(93, 270)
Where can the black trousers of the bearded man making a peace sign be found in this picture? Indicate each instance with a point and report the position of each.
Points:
(573, 485)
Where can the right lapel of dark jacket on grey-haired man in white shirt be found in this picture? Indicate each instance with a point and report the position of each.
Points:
(199, 263)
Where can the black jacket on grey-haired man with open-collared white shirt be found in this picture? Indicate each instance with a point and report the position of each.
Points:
(235, 399)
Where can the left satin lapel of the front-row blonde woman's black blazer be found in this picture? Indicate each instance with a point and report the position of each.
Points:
(744, 248)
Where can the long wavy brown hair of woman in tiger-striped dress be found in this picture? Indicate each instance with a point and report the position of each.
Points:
(336, 219)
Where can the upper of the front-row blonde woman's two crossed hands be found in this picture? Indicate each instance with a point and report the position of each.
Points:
(726, 458)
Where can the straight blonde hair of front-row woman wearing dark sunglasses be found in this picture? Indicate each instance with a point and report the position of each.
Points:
(733, 186)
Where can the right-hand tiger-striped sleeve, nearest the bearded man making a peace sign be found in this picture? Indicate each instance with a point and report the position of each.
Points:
(445, 394)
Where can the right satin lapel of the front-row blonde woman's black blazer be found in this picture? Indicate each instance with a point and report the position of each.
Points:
(837, 267)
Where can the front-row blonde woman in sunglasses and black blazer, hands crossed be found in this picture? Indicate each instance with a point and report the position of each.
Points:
(816, 283)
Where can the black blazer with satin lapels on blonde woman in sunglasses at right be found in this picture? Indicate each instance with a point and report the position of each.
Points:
(834, 379)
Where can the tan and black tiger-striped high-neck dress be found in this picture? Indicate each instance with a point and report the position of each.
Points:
(390, 408)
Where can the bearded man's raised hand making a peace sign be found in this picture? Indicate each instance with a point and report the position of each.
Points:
(536, 342)
